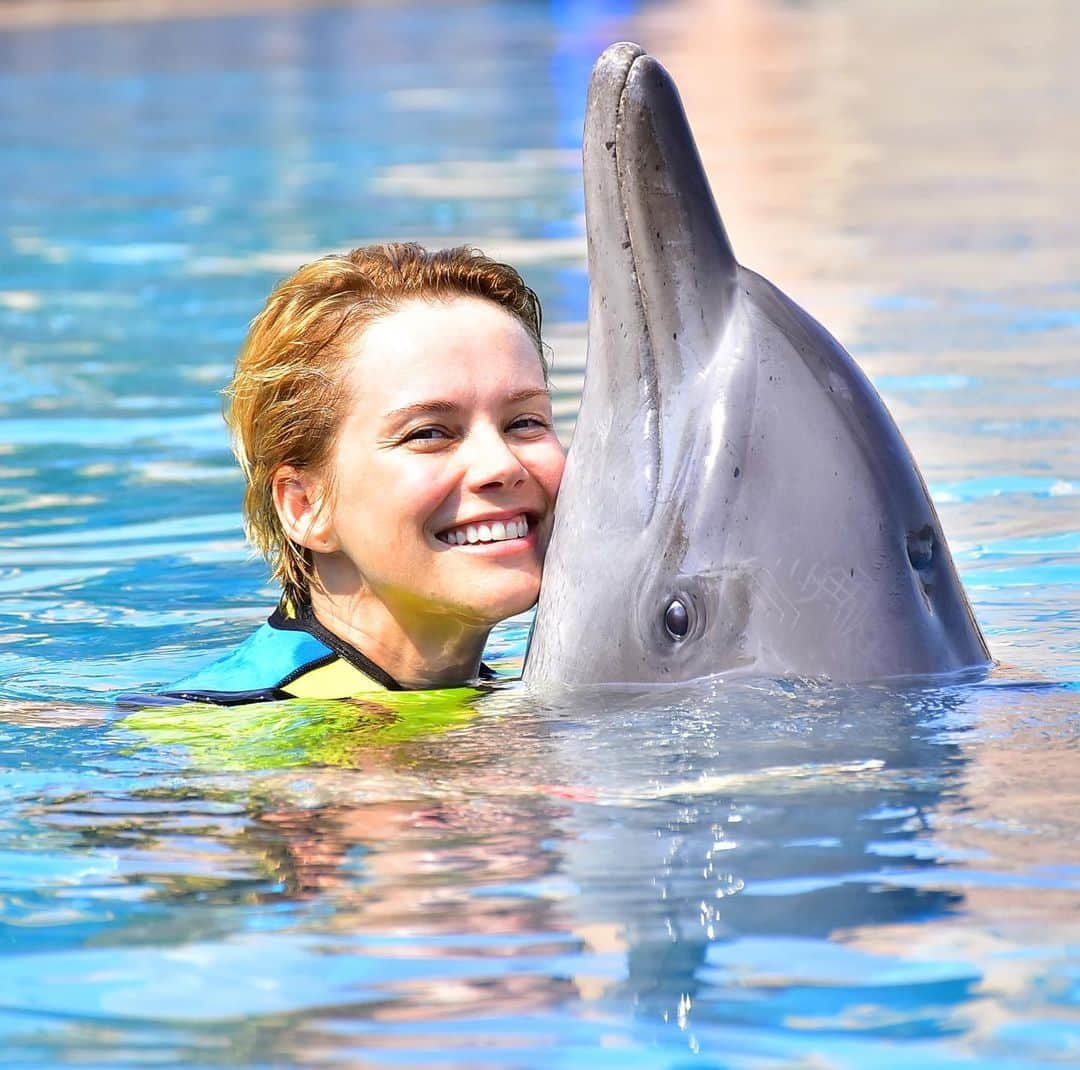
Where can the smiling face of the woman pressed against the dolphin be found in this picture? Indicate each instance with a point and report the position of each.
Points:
(447, 467)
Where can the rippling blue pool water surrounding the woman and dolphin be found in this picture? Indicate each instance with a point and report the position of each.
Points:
(753, 876)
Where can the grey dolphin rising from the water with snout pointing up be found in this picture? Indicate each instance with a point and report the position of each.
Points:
(737, 498)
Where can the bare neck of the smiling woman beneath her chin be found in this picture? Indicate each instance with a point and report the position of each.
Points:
(443, 653)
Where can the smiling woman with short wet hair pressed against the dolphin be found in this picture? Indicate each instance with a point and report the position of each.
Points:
(391, 414)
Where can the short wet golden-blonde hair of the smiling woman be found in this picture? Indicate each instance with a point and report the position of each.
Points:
(288, 397)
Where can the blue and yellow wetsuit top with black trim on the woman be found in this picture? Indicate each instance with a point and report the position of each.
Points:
(290, 657)
